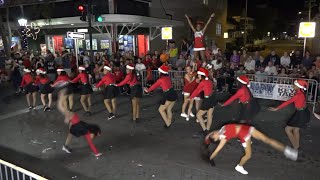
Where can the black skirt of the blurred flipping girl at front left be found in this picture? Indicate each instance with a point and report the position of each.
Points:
(82, 128)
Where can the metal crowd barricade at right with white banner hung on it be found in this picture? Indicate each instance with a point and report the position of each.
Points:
(280, 88)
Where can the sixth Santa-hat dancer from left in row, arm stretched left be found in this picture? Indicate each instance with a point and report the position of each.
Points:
(135, 89)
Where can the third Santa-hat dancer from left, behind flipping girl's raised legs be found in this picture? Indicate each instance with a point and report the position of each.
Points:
(68, 98)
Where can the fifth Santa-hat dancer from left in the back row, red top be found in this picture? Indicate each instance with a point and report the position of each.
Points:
(111, 91)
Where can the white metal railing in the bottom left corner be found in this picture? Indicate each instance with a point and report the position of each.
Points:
(10, 171)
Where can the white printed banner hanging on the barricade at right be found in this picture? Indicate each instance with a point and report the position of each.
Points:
(281, 92)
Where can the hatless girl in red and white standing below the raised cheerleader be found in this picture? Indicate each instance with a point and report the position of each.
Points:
(190, 84)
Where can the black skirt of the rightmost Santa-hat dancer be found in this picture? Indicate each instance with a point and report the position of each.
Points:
(300, 118)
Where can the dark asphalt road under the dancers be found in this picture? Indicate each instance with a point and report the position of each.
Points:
(33, 140)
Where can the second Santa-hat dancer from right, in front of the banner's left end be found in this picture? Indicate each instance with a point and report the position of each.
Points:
(249, 106)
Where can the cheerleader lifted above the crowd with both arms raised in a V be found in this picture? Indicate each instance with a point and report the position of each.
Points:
(199, 46)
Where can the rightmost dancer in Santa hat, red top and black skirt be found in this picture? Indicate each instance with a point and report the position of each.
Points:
(300, 117)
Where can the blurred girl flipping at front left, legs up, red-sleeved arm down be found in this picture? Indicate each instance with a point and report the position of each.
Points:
(76, 127)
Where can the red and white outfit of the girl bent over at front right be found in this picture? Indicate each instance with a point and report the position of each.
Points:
(229, 132)
